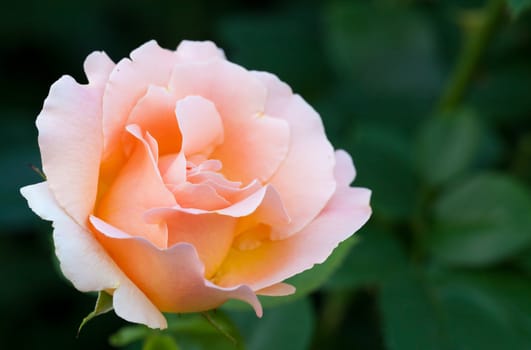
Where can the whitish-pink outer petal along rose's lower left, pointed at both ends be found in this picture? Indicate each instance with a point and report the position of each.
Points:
(85, 263)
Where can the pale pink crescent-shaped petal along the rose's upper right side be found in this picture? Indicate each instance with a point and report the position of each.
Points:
(309, 163)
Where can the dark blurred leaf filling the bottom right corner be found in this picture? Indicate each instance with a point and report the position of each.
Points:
(497, 305)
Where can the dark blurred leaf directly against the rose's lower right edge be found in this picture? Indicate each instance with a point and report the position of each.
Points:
(376, 257)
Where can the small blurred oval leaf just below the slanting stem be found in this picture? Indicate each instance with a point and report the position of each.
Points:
(448, 145)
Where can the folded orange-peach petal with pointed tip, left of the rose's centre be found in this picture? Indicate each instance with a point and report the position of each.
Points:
(137, 188)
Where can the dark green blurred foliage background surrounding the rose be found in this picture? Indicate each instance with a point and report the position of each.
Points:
(431, 98)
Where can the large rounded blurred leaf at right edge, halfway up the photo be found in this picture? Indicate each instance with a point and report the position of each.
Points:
(481, 221)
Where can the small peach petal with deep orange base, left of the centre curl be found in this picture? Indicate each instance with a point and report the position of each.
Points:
(155, 113)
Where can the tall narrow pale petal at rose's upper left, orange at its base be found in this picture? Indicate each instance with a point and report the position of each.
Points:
(127, 83)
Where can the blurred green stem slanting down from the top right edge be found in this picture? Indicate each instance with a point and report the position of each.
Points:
(470, 56)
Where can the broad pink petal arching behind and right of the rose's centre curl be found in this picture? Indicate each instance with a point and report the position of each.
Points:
(255, 144)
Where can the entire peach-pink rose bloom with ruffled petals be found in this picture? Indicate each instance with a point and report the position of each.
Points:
(176, 180)
